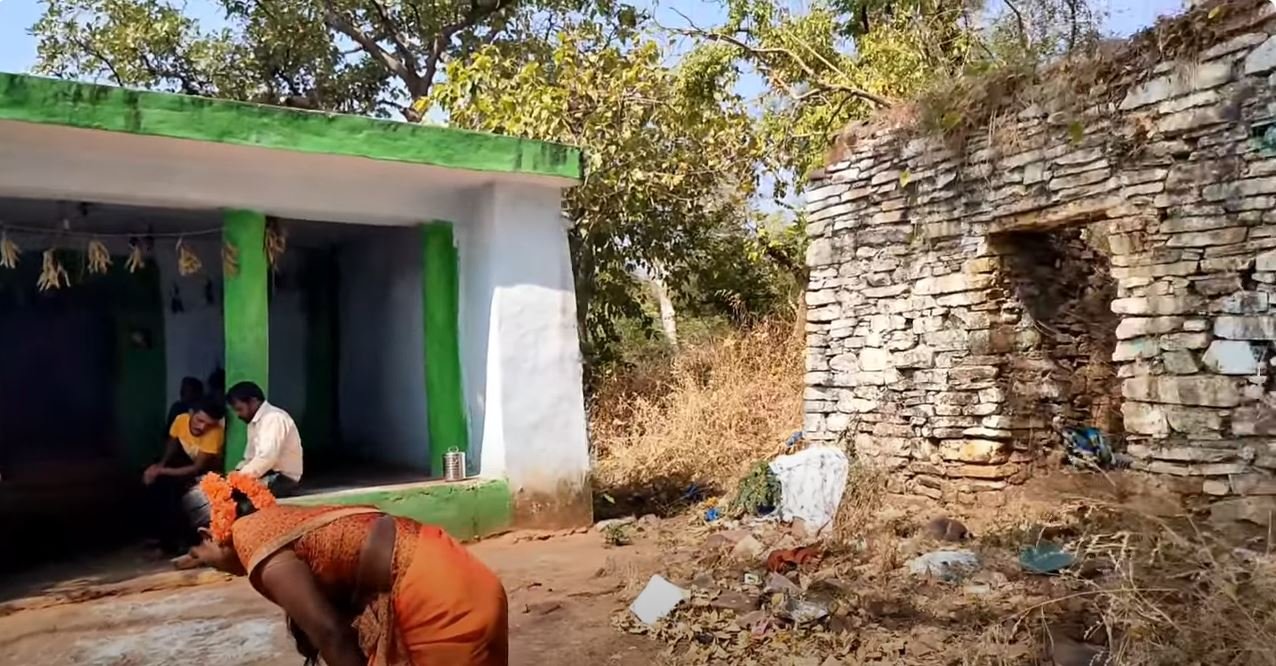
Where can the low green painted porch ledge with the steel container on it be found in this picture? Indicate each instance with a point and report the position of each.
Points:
(466, 510)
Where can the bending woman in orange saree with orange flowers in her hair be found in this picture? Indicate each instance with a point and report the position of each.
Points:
(359, 588)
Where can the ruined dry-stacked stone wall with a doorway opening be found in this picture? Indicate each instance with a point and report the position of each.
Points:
(964, 304)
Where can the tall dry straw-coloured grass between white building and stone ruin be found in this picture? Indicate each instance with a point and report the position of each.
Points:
(702, 418)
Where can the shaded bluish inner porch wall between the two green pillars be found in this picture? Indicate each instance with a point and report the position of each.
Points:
(382, 367)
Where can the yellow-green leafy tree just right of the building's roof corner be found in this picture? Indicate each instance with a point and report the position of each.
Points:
(672, 154)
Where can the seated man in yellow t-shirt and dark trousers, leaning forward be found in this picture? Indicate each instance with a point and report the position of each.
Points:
(195, 448)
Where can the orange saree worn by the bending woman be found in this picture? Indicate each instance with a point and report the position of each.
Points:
(445, 605)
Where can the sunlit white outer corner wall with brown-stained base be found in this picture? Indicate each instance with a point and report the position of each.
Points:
(521, 354)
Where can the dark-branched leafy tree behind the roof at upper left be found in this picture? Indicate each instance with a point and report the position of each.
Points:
(357, 57)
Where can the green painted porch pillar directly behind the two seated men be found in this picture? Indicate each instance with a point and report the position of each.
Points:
(246, 317)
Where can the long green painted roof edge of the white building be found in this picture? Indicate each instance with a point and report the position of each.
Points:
(105, 108)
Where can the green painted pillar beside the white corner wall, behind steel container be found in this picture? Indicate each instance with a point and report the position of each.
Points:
(445, 397)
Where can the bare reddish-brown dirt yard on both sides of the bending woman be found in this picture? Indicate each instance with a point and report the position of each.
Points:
(562, 594)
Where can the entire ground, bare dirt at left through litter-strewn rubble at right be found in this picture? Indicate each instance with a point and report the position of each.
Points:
(1144, 588)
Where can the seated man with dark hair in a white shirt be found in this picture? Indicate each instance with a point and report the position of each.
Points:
(274, 452)
